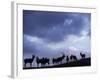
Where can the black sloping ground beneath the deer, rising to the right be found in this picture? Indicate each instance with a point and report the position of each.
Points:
(82, 62)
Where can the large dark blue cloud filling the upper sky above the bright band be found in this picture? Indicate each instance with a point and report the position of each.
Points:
(51, 25)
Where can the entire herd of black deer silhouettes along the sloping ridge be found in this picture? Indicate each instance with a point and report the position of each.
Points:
(46, 61)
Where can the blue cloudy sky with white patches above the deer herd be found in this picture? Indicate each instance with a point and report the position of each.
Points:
(48, 33)
